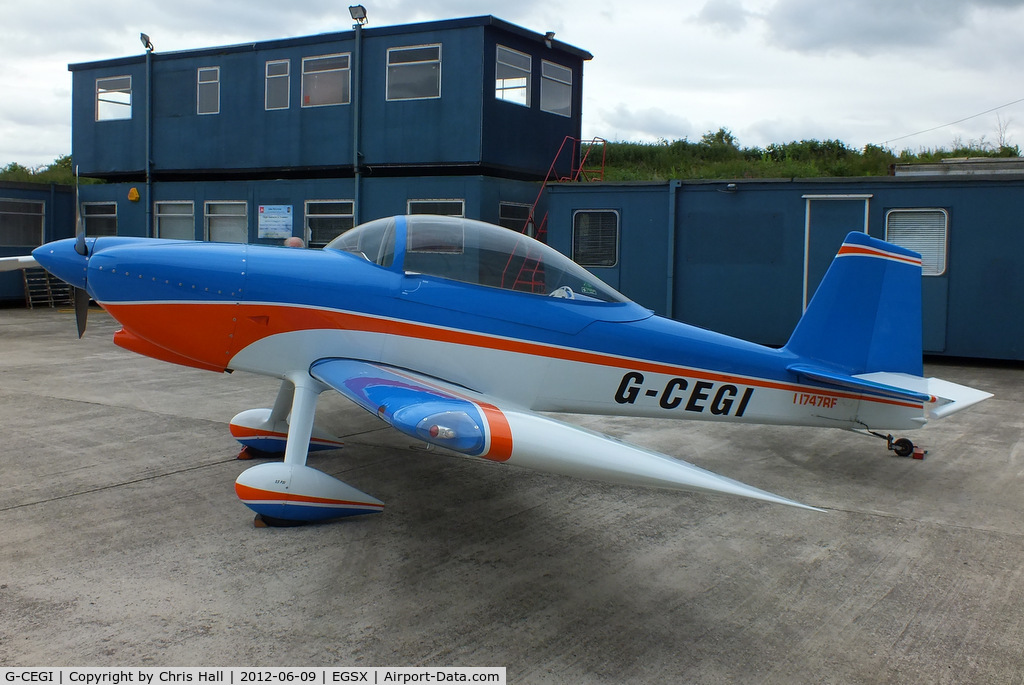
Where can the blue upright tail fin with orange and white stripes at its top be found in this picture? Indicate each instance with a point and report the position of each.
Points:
(866, 316)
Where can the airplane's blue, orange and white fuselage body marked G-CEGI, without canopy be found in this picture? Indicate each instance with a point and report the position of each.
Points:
(264, 310)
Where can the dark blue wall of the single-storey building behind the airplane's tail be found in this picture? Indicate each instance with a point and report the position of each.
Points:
(741, 252)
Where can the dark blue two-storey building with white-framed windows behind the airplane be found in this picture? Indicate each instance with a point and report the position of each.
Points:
(308, 137)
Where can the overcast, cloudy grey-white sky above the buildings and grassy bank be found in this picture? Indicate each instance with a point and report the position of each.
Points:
(771, 71)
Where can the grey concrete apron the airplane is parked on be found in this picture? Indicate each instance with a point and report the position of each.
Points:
(123, 543)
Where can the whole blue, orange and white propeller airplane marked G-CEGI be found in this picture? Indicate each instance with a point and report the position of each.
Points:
(461, 334)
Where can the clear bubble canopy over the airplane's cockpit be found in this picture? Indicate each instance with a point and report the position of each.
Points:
(473, 252)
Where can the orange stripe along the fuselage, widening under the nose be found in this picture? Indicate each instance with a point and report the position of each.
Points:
(185, 327)
